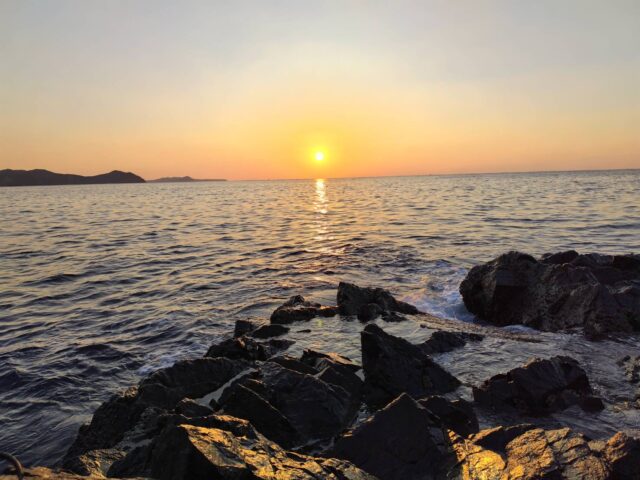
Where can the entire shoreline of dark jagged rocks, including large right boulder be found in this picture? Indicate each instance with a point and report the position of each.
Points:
(247, 409)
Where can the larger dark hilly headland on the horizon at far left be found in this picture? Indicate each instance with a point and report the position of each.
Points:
(22, 178)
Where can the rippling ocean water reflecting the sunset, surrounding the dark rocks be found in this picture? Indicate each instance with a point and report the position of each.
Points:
(102, 284)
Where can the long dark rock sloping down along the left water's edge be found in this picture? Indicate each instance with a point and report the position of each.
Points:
(161, 390)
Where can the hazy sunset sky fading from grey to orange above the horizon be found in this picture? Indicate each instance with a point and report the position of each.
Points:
(251, 89)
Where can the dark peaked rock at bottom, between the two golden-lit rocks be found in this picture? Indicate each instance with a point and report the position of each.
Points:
(402, 441)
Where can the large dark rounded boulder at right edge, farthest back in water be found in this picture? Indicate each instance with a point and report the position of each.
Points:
(599, 293)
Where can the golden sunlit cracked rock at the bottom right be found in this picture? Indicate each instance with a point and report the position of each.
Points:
(531, 455)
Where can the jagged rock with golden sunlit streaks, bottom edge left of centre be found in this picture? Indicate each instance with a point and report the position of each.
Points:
(187, 452)
